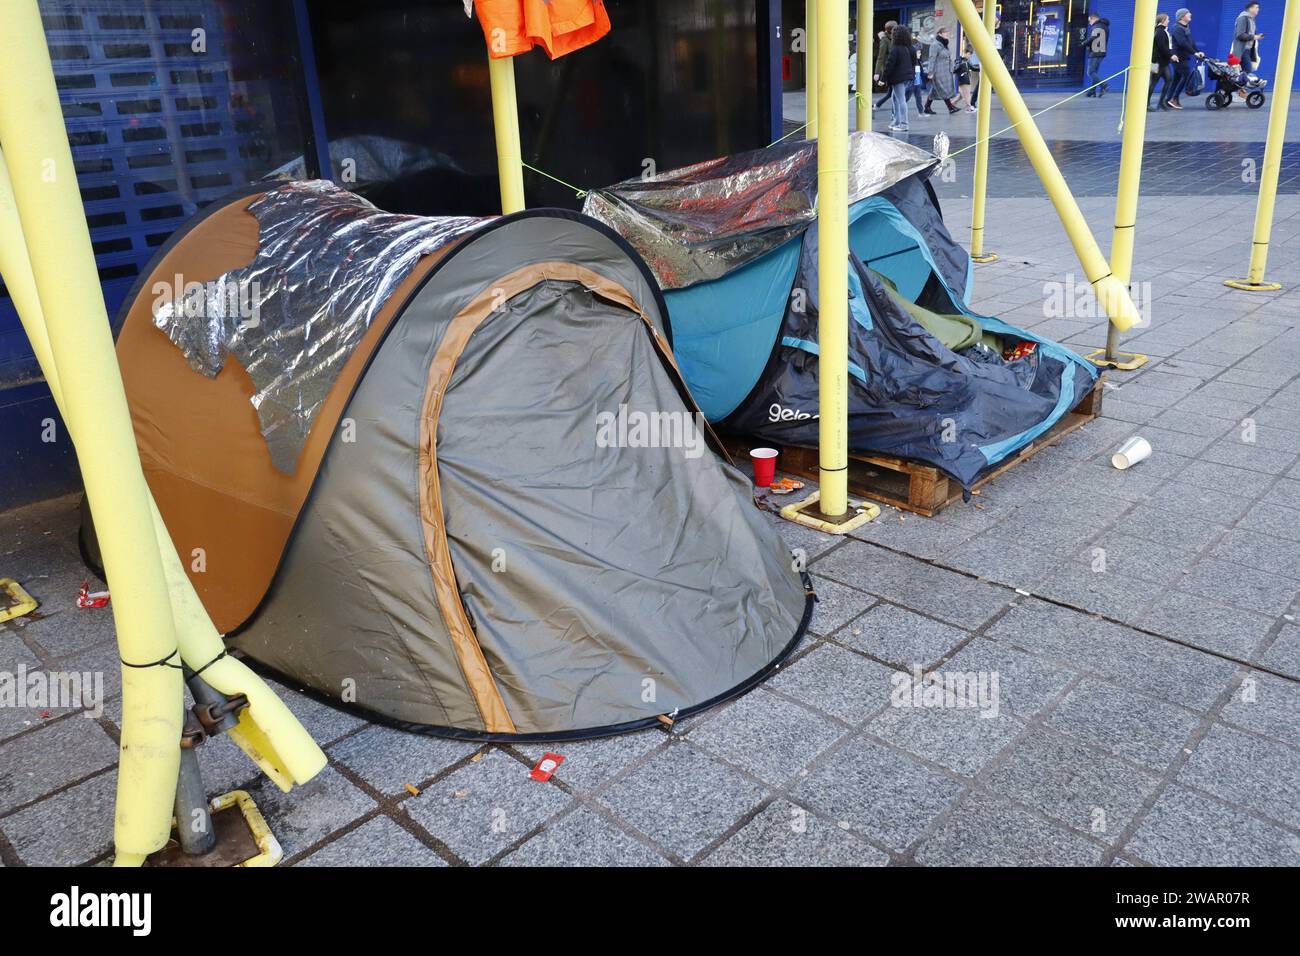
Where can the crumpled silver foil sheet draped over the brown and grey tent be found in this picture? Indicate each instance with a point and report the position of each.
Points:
(327, 262)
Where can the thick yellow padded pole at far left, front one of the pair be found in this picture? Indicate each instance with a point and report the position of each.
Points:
(50, 209)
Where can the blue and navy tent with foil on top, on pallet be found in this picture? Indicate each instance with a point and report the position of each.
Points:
(734, 246)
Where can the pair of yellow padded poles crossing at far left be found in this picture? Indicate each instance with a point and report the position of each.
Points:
(49, 266)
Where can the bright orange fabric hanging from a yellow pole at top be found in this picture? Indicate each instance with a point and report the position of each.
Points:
(561, 27)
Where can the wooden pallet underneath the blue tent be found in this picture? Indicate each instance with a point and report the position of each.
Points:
(915, 486)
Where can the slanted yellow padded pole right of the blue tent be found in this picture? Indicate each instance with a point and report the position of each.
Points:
(1112, 295)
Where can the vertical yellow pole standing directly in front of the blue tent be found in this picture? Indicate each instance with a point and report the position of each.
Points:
(833, 211)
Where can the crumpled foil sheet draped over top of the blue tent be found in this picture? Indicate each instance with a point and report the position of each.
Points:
(699, 223)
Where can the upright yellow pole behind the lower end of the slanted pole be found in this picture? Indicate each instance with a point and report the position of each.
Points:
(1130, 176)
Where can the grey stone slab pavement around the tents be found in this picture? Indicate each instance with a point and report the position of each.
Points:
(1121, 648)
